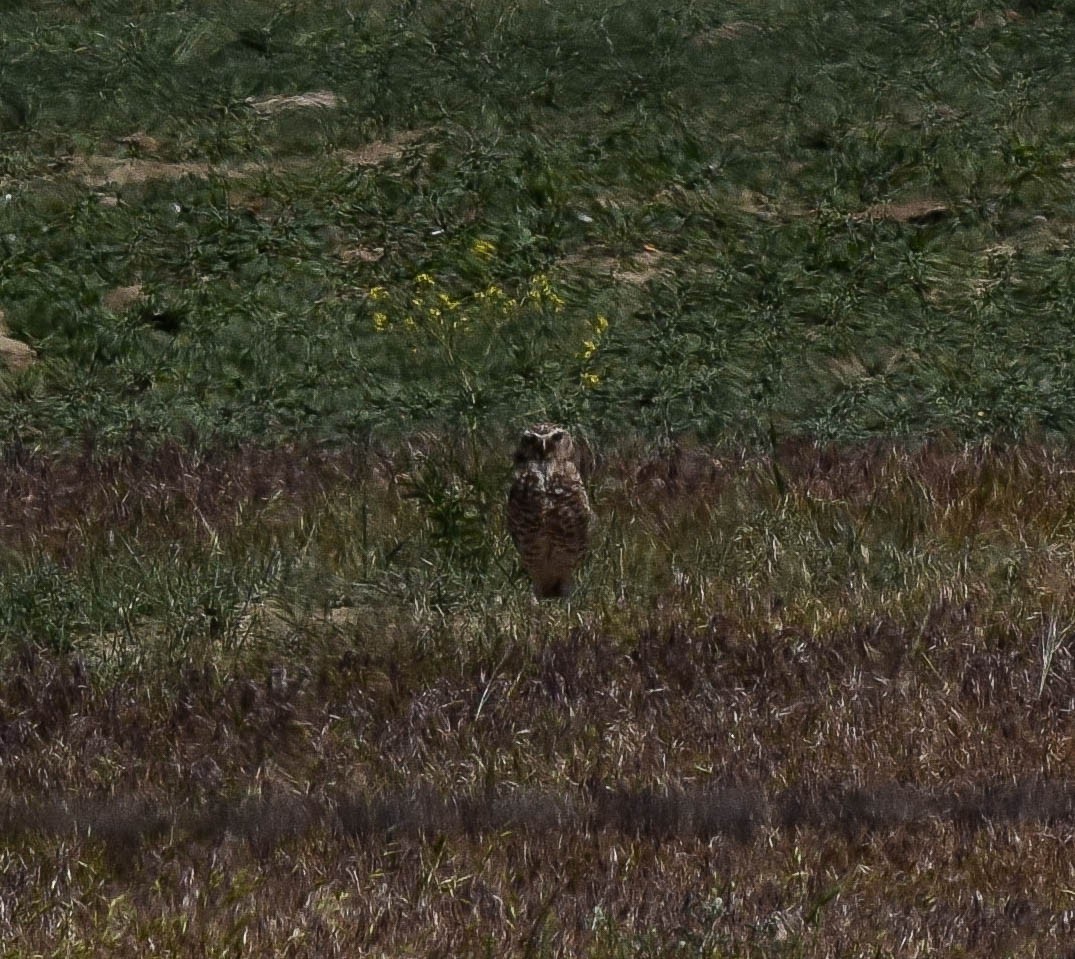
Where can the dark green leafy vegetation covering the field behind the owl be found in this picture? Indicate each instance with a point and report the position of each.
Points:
(746, 148)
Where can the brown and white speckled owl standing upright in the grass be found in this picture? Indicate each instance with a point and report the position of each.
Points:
(549, 513)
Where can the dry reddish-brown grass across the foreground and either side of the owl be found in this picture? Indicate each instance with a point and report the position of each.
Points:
(685, 775)
